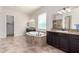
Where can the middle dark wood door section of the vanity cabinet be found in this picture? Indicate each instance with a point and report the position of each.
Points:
(64, 42)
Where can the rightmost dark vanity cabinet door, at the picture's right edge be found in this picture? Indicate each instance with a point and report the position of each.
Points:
(74, 44)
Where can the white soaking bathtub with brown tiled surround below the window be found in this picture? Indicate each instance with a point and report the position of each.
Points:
(36, 38)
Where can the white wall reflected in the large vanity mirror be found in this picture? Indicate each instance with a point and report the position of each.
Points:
(74, 17)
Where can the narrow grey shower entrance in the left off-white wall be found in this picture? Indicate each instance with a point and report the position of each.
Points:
(9, 25)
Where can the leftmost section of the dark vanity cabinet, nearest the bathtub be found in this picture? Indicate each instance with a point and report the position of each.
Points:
(52, 39)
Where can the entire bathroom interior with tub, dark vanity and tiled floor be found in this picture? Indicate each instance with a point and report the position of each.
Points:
(39, 29)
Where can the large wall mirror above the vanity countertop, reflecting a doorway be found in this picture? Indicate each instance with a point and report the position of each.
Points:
(68, 20)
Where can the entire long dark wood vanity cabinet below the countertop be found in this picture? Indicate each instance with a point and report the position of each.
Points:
(65, 42)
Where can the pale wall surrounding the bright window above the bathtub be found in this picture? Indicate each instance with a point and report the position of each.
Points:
(50, 10)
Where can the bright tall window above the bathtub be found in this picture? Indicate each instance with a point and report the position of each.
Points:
(42, 21)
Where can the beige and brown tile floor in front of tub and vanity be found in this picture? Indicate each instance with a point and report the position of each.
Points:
(20, 45)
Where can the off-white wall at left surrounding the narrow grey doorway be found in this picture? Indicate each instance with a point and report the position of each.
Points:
(20, 21)
